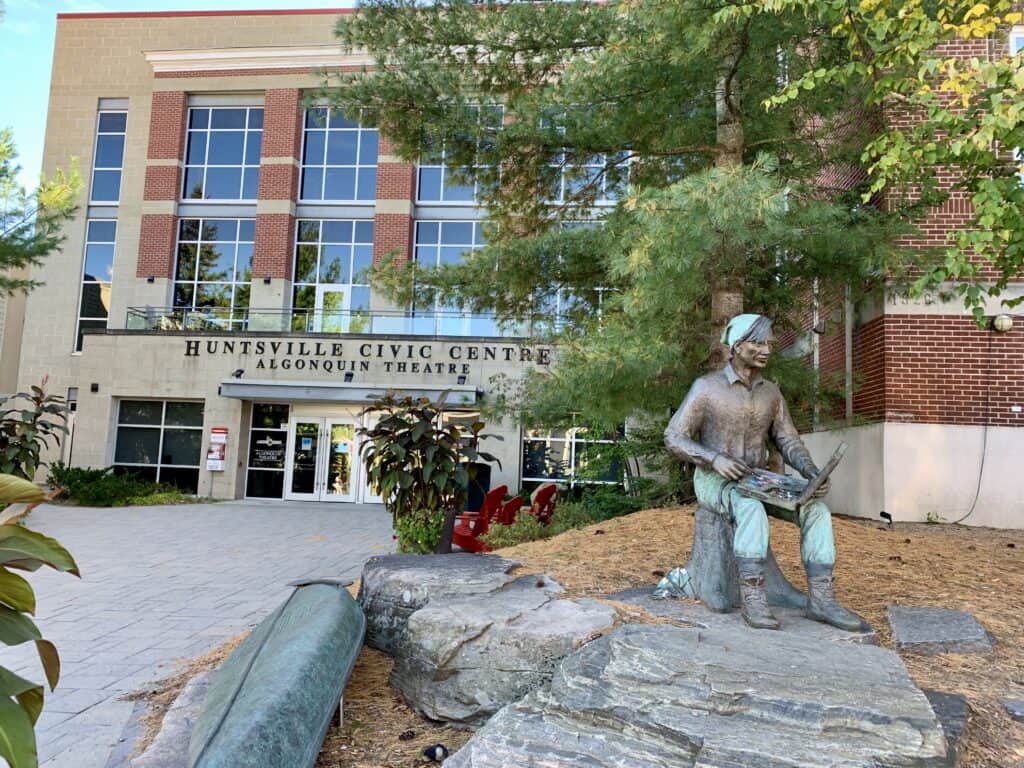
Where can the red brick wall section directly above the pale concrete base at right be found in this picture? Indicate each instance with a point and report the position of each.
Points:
(946, 370)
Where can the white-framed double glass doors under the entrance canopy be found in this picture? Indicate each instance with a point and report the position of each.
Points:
(322, 460)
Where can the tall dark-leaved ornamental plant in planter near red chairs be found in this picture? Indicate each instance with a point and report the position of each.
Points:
(420, 468)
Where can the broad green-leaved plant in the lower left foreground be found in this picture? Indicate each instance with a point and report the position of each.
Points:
(24, 550)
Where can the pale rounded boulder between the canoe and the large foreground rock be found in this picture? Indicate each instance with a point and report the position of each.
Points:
(461, 660)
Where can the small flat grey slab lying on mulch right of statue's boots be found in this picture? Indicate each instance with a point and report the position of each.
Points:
(932, 631)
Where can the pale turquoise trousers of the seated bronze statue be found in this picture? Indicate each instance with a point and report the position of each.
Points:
(751, 518)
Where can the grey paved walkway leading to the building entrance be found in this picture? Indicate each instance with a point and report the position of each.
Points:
(164, 584)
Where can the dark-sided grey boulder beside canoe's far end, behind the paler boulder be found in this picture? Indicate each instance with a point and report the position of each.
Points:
(394, 587)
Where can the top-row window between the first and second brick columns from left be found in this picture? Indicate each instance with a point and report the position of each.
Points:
(223, 153)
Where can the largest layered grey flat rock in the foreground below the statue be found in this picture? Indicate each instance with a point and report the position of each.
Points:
(661, 697)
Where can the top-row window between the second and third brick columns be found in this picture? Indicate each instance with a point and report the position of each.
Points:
(339, 158)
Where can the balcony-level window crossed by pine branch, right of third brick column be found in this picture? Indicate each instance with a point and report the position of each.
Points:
(447, 243)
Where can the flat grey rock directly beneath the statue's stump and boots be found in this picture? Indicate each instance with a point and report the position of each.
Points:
(691, 613)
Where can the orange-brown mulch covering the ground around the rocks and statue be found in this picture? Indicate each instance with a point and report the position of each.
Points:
(980, 571)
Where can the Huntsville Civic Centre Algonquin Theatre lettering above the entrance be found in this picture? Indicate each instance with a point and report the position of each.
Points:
(434, 360)
